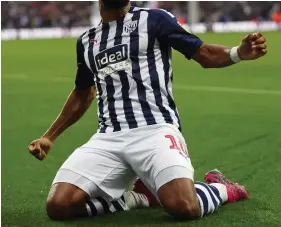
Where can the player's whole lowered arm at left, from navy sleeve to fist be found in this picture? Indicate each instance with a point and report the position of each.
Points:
(76, 105)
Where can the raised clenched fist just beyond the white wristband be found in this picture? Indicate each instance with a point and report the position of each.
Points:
(252, 46)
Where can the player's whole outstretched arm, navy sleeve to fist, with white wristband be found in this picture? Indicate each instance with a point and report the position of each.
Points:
(170, 33)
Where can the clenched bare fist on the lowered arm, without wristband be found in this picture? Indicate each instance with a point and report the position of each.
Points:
(40, 148)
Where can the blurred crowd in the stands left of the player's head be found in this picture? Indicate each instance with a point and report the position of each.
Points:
(45, 14)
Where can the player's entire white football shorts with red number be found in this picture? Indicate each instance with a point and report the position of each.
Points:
(109, 162)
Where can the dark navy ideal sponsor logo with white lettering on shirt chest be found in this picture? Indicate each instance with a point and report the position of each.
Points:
(112, 56)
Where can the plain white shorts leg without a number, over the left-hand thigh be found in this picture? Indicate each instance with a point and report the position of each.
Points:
(98, 172)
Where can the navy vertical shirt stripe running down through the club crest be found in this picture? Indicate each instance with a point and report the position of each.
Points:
(134, 47)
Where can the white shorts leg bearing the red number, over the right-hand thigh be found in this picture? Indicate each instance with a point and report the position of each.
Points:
(161, 156)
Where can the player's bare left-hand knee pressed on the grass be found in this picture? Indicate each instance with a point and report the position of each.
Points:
(62, 207)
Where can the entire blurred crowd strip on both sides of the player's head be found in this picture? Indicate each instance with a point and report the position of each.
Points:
(71, 14)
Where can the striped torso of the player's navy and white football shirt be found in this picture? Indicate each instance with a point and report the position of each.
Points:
(131, 66)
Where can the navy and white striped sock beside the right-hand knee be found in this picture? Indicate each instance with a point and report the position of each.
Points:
(209, 197)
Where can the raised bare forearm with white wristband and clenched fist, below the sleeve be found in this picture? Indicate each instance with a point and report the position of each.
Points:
(252, 46)
